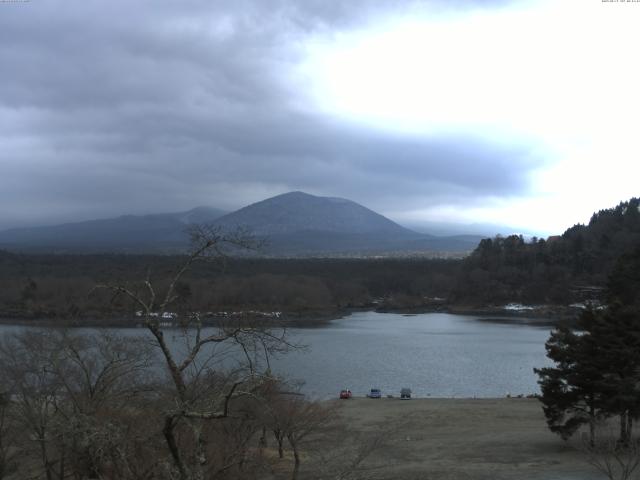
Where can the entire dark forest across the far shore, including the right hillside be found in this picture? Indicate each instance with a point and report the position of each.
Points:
(559, 270)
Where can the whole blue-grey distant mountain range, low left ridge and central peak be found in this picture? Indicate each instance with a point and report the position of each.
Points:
(293, 224)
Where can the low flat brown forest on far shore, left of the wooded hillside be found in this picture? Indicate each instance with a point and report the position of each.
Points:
(60, 286)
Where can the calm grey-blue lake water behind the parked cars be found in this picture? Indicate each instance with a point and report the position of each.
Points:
(434, 354)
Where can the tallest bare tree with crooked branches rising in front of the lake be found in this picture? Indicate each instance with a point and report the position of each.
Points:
(194, 398)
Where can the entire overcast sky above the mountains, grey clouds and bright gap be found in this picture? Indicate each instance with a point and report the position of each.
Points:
(522, 113)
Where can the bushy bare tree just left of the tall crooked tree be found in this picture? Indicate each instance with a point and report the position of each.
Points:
(101, 376)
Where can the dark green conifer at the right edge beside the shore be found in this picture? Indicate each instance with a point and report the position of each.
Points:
(597, 371)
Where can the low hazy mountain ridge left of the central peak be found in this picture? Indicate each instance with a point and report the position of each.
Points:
(135, 233)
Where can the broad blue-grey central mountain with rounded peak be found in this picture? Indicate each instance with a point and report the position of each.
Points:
(297, 223)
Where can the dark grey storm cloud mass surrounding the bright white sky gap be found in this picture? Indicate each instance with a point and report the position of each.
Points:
(117, 107)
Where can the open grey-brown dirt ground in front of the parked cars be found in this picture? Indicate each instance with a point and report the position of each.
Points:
(454, 439)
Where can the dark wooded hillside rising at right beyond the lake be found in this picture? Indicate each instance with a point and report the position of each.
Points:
(556, 270)
